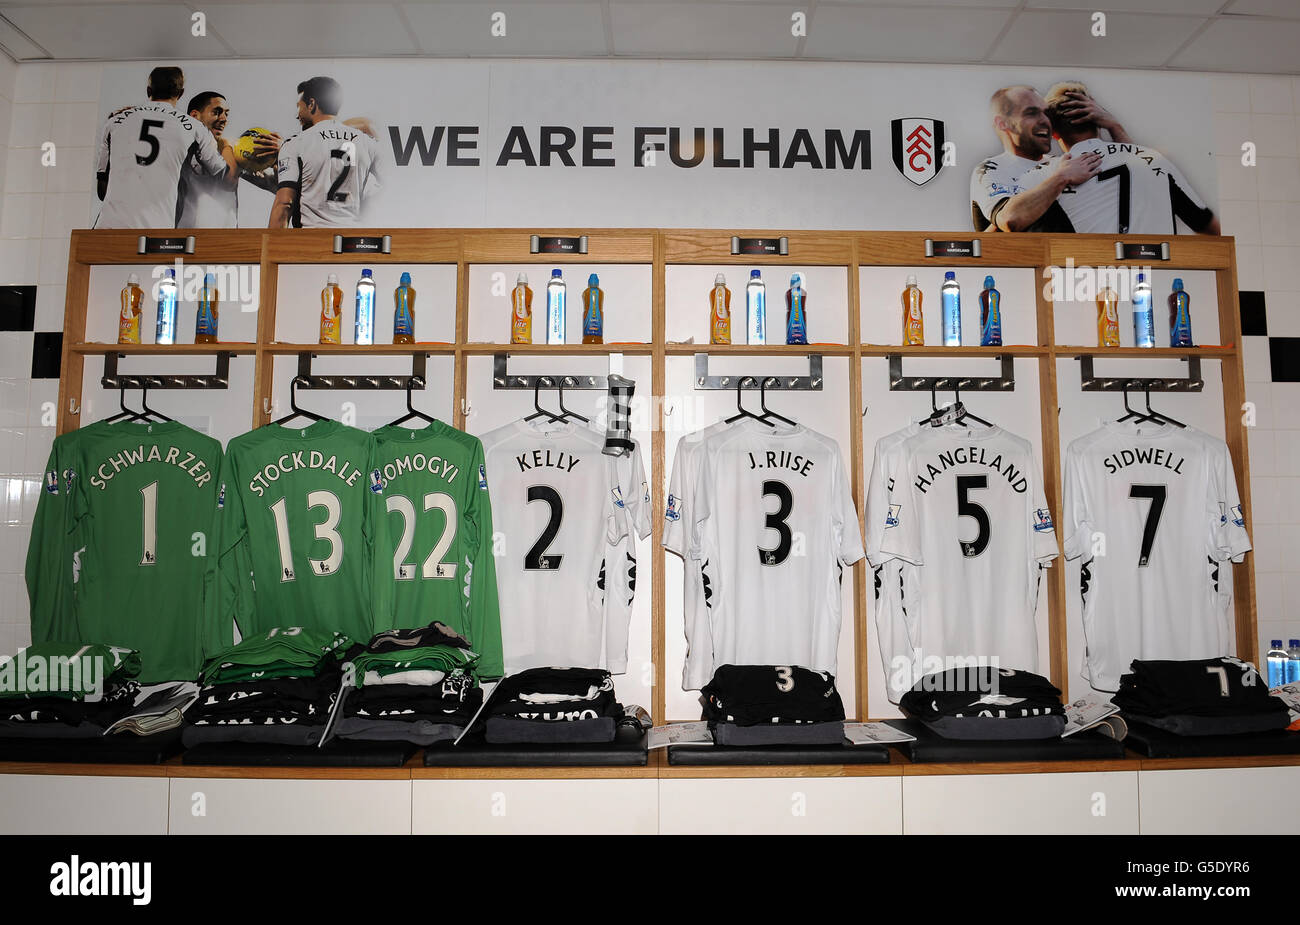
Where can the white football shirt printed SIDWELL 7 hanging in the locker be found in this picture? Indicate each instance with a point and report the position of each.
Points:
(1154, 511)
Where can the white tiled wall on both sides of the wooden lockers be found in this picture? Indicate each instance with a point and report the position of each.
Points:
(42, 205)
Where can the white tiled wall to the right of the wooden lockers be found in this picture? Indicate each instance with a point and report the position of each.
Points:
(1262, 207)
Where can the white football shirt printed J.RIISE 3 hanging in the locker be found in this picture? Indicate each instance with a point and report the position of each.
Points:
(774, 502)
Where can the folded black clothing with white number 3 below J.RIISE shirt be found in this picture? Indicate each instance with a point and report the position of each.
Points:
(751, 696)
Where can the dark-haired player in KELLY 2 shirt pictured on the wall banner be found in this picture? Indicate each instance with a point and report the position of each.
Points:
(327, 172)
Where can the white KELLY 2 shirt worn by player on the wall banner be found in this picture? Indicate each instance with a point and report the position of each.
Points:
(335, 168)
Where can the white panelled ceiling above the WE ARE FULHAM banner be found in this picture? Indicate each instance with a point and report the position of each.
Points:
(1228, 36)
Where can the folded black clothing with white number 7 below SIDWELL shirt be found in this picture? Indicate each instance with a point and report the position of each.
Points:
(1223, 687)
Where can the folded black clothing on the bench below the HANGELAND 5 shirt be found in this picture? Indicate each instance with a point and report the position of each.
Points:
(998, 693)
